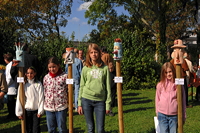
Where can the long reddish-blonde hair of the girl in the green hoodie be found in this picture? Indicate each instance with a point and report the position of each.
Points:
(88, 61)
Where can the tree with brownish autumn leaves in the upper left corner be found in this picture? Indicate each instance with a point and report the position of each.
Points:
(35, 19)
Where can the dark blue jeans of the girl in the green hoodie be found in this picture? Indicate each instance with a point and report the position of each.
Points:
(89, 108)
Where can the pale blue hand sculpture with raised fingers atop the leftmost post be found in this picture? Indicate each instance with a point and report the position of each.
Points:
(19, 54)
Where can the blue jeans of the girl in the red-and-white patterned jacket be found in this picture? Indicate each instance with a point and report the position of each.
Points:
(56, 119)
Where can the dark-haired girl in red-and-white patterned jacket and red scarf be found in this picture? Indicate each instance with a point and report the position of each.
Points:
(55, 94)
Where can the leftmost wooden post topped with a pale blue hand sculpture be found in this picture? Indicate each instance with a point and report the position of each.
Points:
(20, 60)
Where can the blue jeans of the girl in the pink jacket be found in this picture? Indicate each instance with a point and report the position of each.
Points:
(167, 123)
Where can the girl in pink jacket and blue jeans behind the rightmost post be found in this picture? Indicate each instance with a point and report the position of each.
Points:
(166, 100)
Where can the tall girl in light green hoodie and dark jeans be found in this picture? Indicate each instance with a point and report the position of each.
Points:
(95, 92)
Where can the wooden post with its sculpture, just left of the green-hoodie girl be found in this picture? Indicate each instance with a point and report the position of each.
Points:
(69, 59)
